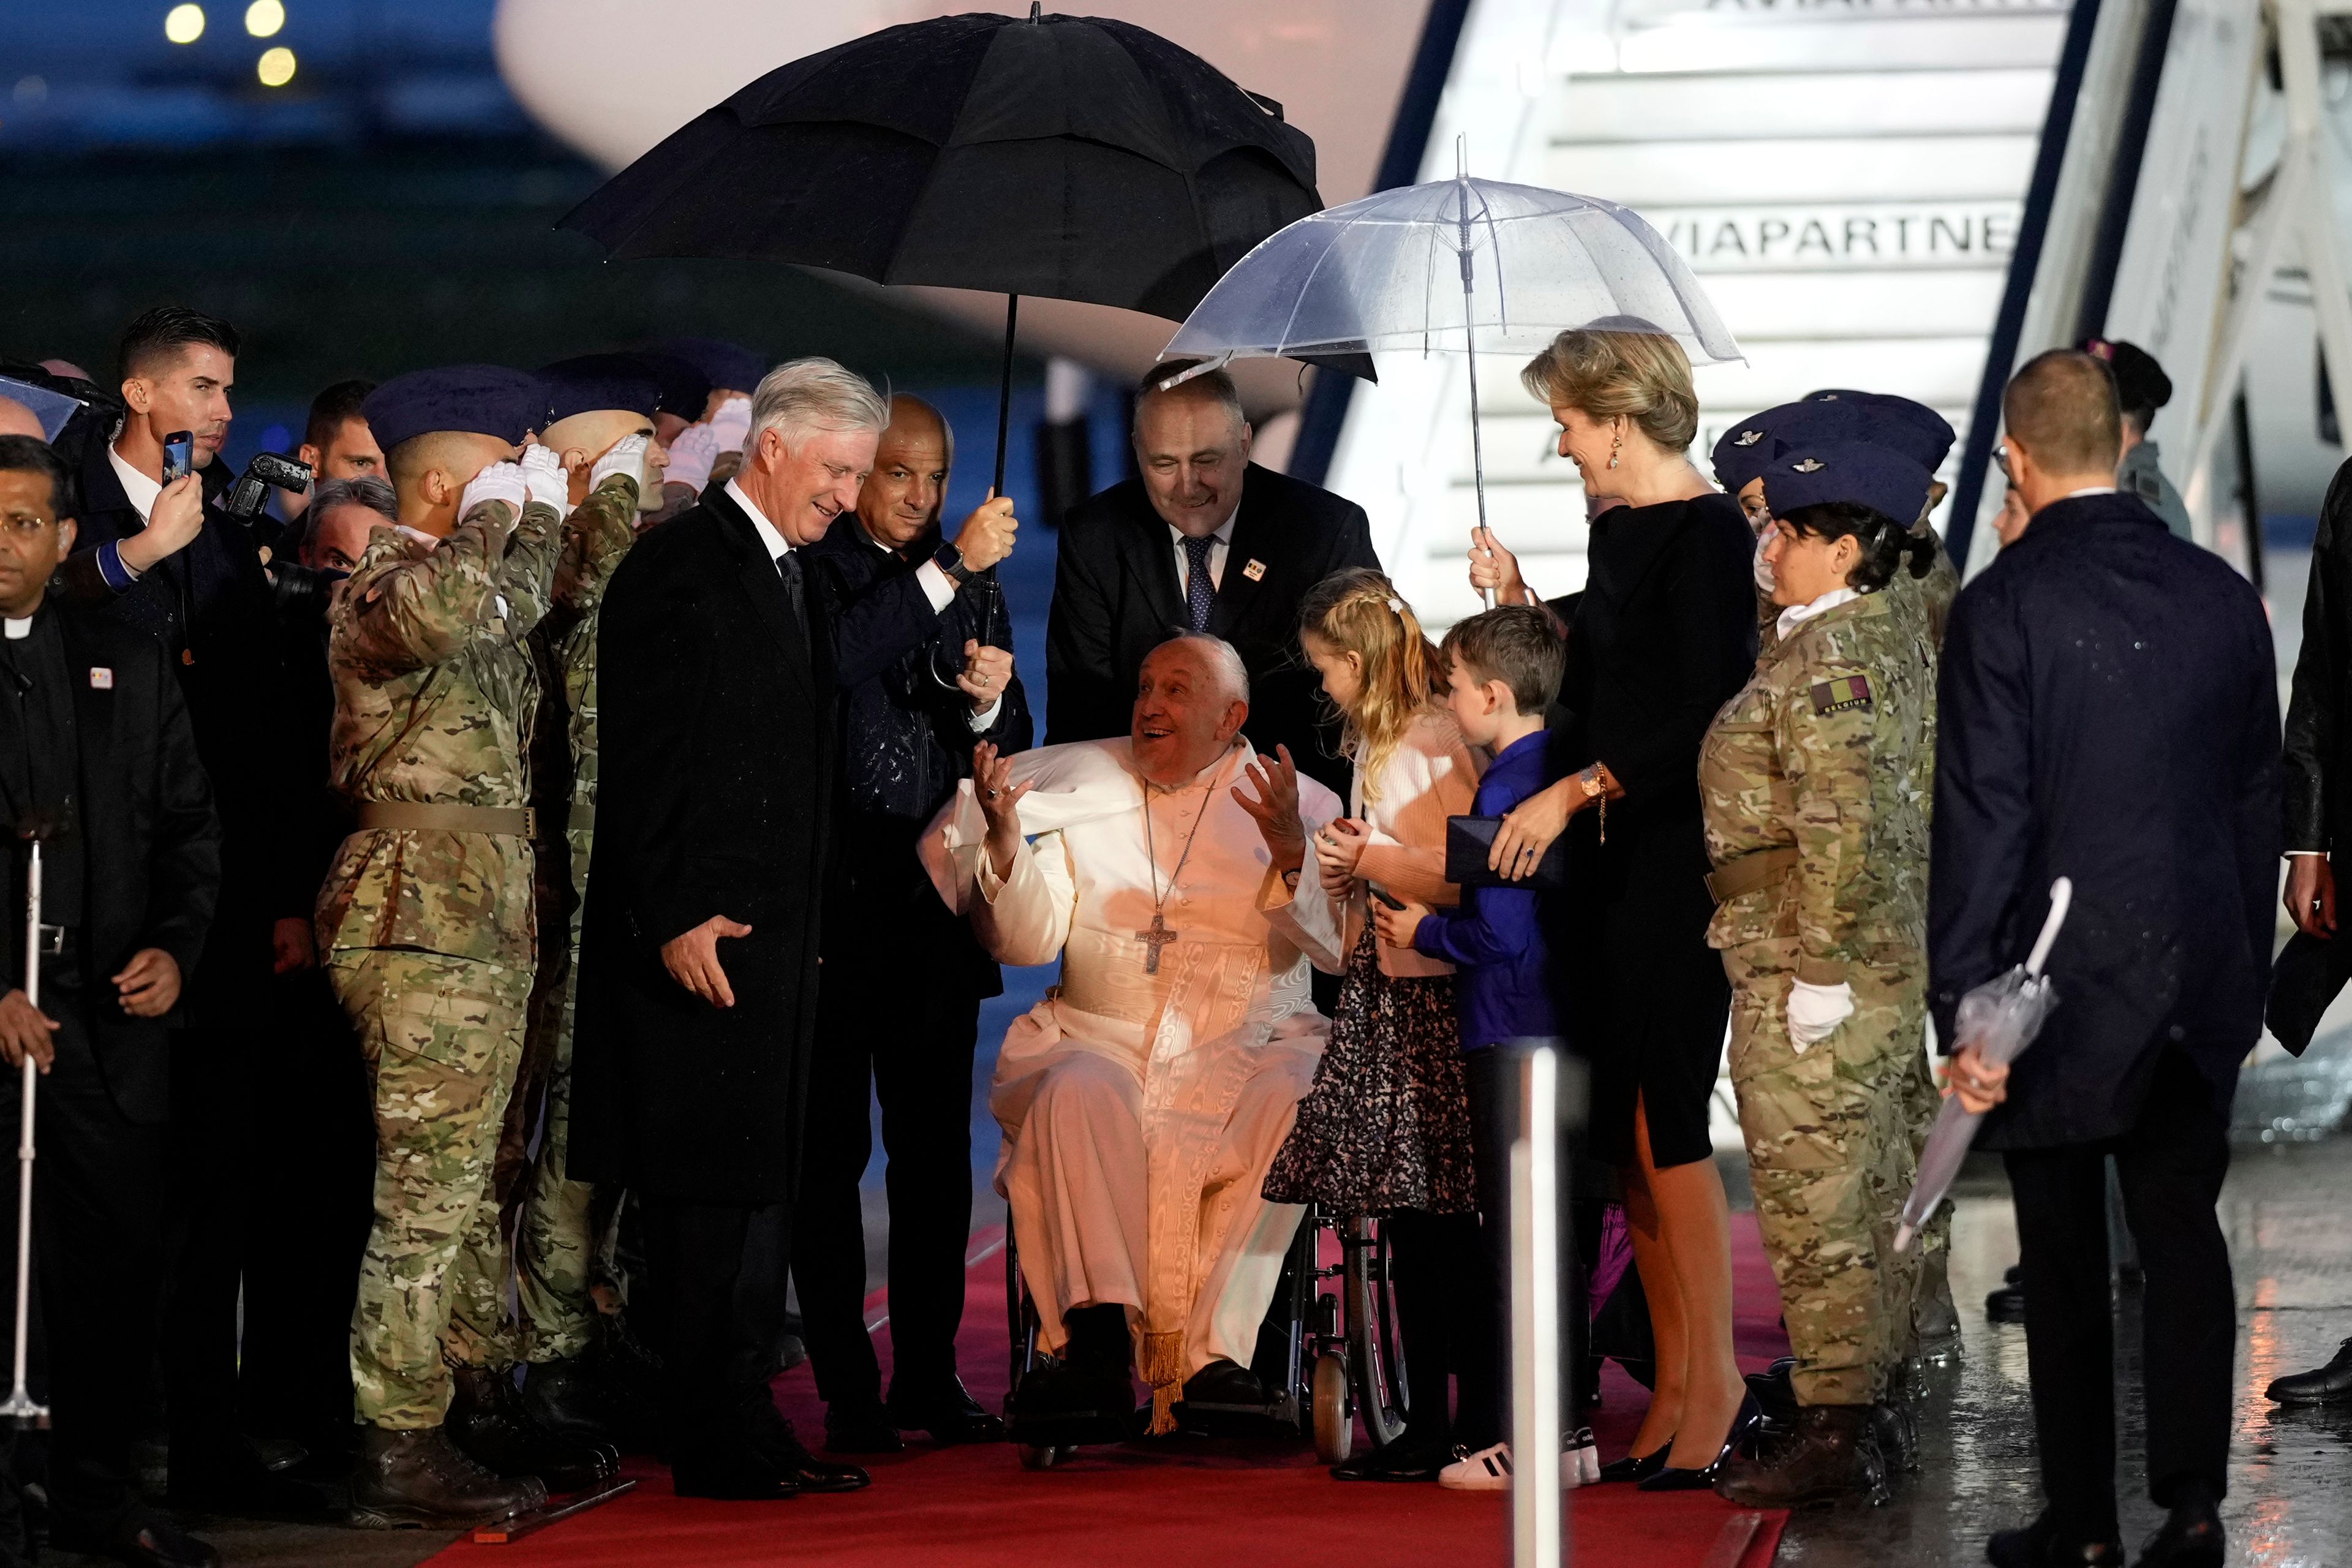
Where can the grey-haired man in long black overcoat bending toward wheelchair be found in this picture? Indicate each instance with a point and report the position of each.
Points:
(719, 669)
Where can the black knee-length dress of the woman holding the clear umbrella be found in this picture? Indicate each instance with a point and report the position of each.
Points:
(1664, 636)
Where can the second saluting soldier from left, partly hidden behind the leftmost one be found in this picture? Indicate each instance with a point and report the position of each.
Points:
(603, 427)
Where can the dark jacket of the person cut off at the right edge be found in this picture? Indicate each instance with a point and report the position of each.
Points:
(2320, 711)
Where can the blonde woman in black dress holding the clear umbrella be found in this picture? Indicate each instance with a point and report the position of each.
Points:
(1664, 638)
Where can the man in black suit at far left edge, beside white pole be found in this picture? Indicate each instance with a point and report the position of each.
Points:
(95, 742)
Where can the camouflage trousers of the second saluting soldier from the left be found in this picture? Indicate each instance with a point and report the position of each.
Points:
(556, 1259)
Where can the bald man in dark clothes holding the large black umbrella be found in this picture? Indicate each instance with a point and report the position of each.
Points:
(904, 977)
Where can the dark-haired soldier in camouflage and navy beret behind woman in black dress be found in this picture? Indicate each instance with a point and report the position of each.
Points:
(1815, 784)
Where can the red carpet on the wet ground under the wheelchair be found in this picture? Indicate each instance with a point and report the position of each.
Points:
(1180, 1503)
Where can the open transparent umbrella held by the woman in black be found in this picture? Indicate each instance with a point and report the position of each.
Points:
(1452, 267)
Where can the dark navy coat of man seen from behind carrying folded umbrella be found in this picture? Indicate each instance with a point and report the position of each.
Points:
(2109, 711)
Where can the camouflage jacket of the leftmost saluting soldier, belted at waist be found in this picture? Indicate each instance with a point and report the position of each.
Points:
(434, 702)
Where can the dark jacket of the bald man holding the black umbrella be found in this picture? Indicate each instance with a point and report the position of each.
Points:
(907, 744)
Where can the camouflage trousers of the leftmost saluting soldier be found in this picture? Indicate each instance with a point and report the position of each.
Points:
(443, 1040)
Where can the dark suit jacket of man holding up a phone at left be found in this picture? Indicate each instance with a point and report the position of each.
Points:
(211, 608)
